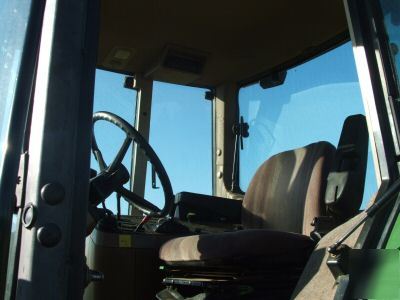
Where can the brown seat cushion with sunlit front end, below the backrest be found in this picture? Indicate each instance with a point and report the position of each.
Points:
(239, 247)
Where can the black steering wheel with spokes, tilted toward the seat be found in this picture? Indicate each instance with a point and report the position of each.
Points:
(132, 135)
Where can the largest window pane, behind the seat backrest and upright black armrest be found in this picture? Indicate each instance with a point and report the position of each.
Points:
(310, 106)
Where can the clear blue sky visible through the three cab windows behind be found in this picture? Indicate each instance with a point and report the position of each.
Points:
(314, 101)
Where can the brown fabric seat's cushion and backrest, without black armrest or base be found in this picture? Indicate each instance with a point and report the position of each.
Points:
(284, 196)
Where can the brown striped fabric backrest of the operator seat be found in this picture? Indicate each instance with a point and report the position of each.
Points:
(287, 191)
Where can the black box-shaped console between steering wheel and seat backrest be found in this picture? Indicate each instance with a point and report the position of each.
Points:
(199, 208)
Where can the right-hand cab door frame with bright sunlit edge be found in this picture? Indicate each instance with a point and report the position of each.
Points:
(376, 87)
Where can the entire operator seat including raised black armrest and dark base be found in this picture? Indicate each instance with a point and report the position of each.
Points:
(294, 194)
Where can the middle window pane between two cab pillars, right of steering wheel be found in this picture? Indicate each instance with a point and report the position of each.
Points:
(180, 134)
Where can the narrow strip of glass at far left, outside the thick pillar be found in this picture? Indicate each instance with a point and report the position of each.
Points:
(14, 15)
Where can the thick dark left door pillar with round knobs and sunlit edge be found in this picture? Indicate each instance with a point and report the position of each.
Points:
(51, 258)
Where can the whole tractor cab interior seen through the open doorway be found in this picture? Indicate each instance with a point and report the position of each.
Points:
(243, 144)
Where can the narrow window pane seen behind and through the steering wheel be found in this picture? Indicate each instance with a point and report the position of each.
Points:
(111, 96)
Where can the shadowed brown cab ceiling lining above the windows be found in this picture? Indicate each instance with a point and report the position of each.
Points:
(237, 40)
